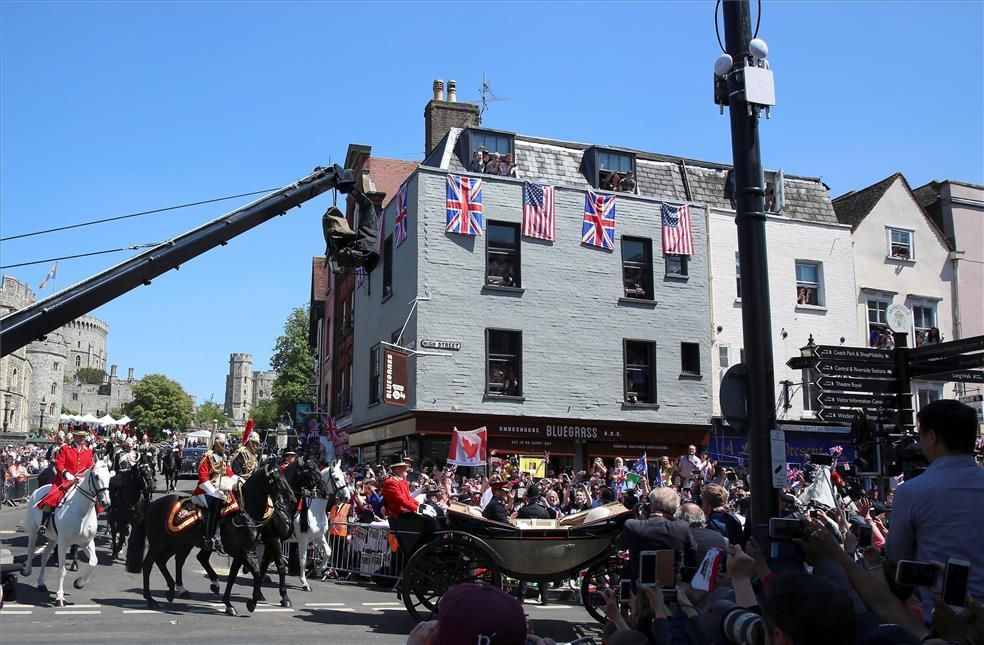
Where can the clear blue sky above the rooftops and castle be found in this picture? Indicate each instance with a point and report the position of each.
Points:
(111, 108)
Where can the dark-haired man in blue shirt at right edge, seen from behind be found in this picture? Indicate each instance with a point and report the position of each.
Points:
(940, 514)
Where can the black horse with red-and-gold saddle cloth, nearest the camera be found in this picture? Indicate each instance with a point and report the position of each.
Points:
(239, 535)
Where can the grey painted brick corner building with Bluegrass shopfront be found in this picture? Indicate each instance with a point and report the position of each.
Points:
(571, 358)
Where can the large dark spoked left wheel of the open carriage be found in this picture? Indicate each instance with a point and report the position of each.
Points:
(438, 566)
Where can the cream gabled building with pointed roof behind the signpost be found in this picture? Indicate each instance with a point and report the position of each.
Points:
(900, 257)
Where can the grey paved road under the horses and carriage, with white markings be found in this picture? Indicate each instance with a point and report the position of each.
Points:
(111, 608)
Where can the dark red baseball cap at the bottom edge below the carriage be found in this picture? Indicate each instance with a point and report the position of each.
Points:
(473, 613)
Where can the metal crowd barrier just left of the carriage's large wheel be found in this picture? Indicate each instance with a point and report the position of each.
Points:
(357, 551)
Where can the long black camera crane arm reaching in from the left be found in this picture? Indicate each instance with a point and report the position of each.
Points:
(31, 323)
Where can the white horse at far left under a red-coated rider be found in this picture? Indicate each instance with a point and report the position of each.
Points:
(73, 523)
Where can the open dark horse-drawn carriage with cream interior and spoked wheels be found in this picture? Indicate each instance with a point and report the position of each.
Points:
(471, 548)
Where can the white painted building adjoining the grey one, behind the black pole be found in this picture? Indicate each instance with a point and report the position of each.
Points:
(809, 249)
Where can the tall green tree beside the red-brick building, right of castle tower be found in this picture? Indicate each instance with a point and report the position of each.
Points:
(293, 361)
